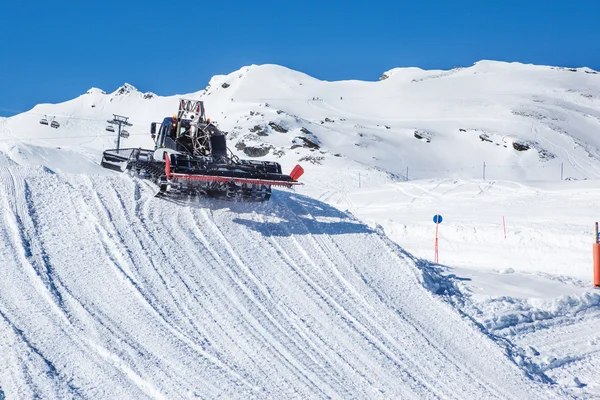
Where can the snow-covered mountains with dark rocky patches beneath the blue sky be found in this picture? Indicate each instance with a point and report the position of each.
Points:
(523, 121)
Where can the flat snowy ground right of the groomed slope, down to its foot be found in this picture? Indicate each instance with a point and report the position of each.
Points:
(533, 287)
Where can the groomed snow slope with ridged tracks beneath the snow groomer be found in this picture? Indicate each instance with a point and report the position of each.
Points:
(109, 292)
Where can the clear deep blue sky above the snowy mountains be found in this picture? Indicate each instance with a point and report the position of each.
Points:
(52, 51)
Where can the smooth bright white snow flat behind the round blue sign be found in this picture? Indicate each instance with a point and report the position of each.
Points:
(543, 220)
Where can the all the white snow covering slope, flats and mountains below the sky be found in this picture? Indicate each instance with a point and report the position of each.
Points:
(328, 291)
